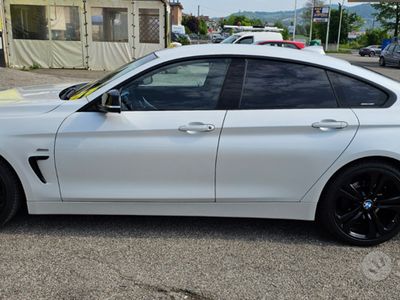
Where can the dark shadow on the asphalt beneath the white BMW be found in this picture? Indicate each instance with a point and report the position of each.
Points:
(241, 229)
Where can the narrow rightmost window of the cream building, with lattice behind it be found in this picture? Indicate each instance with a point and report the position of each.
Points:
(149, 26)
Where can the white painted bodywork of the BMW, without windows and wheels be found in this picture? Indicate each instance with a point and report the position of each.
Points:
(264, 163)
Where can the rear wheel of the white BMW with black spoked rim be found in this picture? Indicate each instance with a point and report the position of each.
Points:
(361, 205)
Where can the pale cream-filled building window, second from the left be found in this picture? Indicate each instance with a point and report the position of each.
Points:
(64, 23)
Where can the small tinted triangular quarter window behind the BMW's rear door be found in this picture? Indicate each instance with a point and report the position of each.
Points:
(355, 93)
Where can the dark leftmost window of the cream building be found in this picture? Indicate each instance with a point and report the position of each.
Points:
(29, 22)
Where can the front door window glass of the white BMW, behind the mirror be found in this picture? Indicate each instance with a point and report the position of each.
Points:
(190, 85)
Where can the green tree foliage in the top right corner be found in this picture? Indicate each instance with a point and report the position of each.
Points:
(389, 15)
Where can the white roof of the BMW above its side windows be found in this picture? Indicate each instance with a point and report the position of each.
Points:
(252, 50)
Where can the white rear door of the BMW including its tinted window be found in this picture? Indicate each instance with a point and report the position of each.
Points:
(286, 132)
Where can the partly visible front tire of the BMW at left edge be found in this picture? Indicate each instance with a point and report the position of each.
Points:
(11, 194)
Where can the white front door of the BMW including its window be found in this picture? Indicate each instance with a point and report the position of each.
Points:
(162, 147)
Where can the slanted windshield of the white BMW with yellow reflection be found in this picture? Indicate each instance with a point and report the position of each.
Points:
(91, 87)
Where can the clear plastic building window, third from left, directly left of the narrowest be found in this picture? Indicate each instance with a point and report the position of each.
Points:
(109, 24)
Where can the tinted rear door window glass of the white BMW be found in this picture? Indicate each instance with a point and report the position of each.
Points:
(273, 84)
